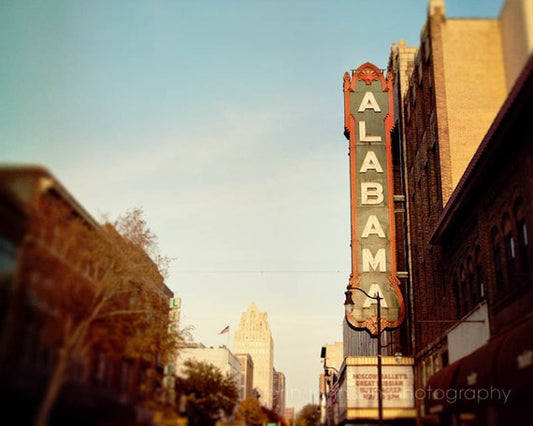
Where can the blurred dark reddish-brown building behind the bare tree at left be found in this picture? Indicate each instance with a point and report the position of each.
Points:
(101, 387)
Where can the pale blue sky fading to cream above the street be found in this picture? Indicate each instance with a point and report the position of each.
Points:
(223, 121)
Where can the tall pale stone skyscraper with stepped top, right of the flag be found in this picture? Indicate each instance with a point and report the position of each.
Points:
(253, 336)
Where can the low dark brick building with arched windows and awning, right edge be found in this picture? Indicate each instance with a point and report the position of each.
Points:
(485, 237)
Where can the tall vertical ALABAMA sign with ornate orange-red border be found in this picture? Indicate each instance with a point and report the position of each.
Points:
(368, 121)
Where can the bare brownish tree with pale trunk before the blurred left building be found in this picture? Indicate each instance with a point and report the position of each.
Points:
(95, 285)
